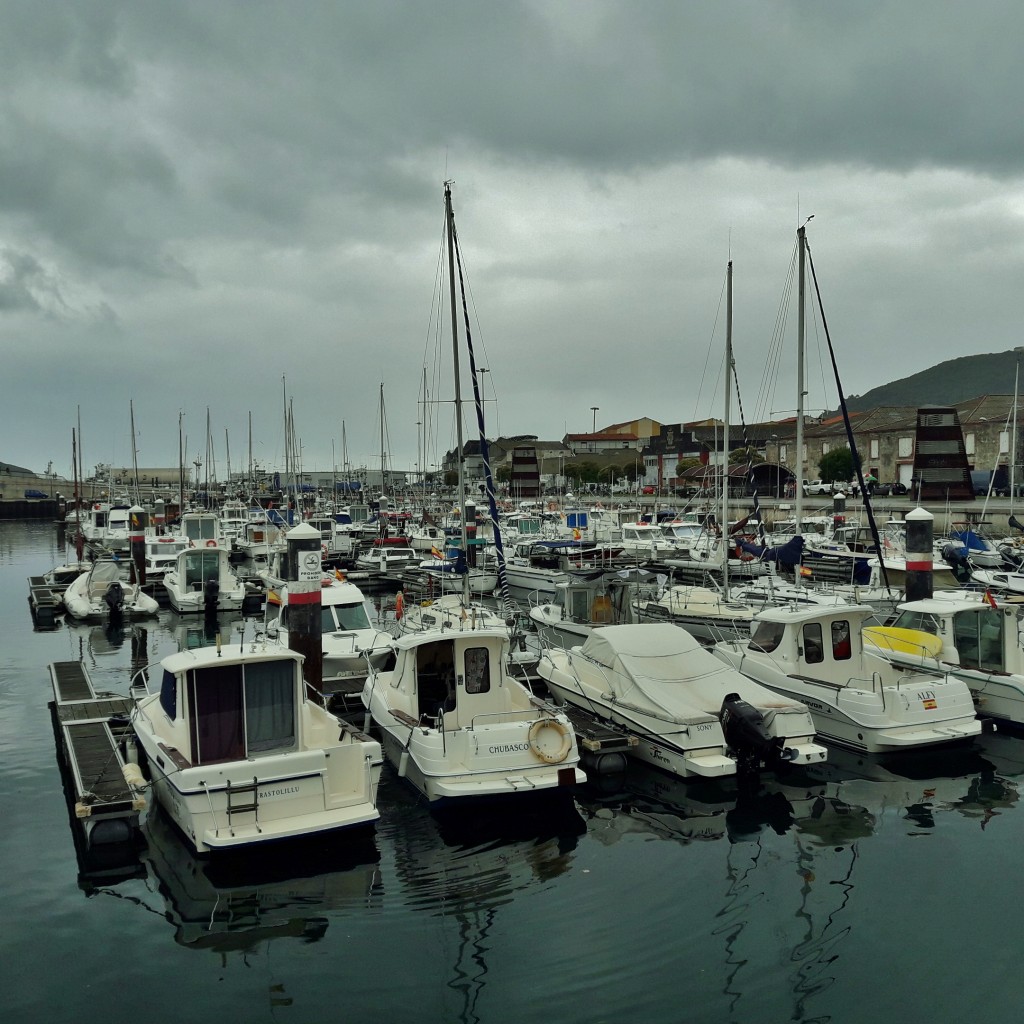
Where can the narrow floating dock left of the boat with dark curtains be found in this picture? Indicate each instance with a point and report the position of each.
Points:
(90, 729)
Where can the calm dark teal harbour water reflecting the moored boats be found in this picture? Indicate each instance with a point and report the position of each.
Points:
(866, 892)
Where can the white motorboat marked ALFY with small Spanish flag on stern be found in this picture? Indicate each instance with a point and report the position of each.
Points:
(859, 699)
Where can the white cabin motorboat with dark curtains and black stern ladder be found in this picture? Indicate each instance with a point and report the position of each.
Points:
(239, 755)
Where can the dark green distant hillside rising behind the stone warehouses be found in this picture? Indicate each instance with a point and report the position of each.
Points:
(956, 380)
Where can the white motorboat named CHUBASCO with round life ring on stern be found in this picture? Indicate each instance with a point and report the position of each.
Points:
(457, 724)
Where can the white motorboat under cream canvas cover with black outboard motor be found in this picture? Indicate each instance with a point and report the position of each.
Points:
(690, 717)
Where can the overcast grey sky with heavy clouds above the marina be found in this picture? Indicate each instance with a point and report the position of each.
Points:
(209, 205)
